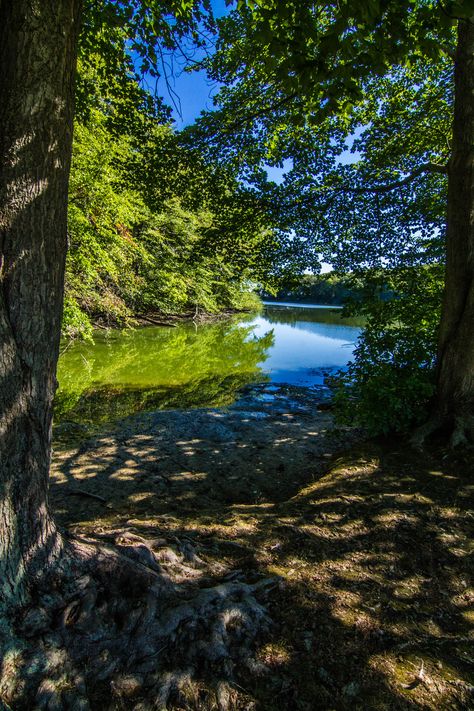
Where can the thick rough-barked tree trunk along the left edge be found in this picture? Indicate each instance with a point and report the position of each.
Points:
(37, 61)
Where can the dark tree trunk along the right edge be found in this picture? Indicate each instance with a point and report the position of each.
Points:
(455, 392)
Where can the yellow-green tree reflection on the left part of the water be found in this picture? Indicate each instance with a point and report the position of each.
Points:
(150, 368)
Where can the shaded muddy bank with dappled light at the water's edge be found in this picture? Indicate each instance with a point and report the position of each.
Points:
(262, 449)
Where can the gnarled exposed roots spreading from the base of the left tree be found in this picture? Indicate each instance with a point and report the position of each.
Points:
(132, 629)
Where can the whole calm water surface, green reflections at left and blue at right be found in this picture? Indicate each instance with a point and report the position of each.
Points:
(188, 366)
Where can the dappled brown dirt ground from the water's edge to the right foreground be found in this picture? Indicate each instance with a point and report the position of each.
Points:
(369, 543)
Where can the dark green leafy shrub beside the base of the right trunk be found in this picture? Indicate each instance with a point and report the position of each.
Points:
(391, 380)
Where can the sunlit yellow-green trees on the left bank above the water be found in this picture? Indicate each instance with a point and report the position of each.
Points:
(152, 227)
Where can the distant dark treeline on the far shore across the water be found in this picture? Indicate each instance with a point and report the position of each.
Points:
(325, 289)
